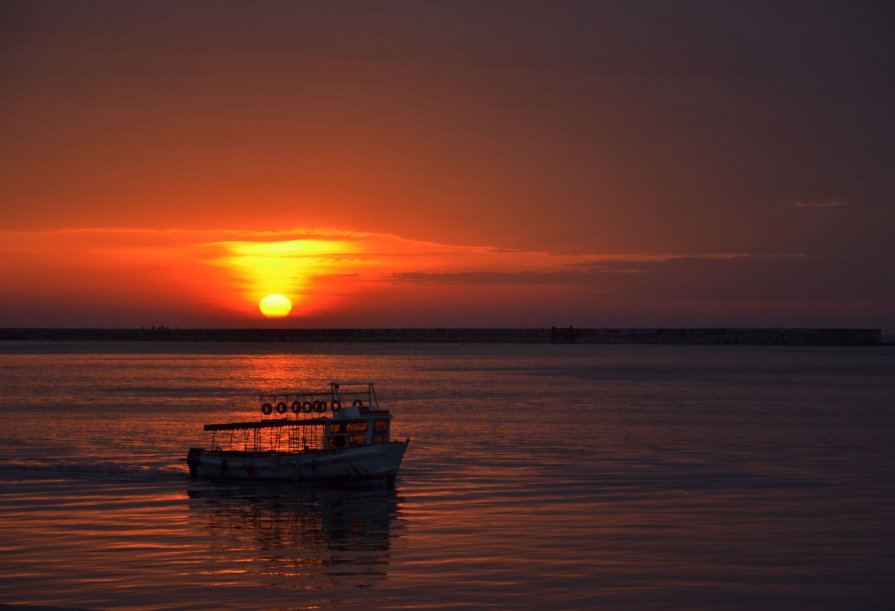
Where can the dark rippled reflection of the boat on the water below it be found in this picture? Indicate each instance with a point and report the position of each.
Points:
(315, 538)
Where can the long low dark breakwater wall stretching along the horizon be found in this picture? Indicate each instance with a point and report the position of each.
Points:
(556, 335)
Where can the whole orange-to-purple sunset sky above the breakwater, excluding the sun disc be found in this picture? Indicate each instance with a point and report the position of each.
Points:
(445, 164)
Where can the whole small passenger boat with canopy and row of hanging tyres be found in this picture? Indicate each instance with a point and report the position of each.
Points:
(339, 434)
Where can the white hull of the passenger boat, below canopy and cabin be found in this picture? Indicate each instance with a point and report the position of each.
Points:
(379, 461)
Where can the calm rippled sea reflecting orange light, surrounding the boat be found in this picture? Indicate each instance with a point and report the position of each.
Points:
(562, 477)
